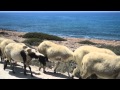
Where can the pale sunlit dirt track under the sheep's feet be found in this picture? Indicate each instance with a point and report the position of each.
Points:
(7, 74)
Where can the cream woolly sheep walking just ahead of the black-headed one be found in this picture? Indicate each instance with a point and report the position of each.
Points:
(55, 52)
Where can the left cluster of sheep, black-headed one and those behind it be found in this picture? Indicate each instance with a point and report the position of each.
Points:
(12, 51)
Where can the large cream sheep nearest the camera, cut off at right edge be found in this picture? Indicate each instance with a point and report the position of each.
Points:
(105, 66)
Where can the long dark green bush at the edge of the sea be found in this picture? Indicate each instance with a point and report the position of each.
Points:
(42, 36)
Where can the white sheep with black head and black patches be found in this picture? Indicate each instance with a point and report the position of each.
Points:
(19, 52)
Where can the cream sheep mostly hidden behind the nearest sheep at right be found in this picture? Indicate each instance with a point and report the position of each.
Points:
(80, 52)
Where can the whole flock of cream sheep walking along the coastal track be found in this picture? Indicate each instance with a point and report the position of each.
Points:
(104, 63)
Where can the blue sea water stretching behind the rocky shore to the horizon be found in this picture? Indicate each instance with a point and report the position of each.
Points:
(99, 25)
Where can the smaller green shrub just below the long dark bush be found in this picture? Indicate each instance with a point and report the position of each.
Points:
(33, 41)
